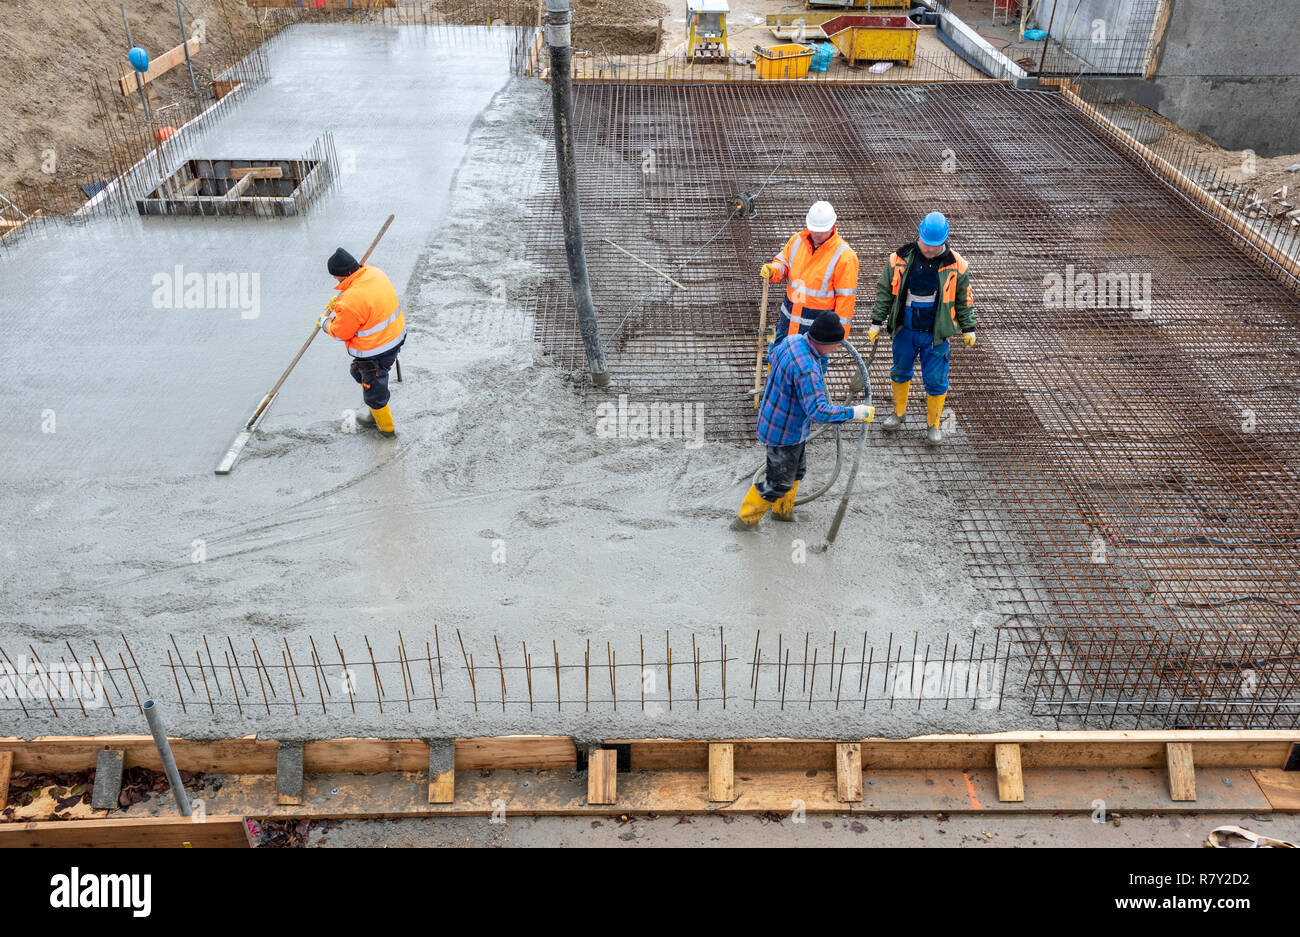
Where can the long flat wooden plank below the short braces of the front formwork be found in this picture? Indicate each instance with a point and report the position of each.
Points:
(564, 793)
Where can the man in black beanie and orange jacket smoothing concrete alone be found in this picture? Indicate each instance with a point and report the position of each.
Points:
(366, 316)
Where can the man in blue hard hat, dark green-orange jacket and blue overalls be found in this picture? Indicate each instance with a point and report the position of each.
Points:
(924, 297)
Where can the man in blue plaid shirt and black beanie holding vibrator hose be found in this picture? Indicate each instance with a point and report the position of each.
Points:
(794, 400)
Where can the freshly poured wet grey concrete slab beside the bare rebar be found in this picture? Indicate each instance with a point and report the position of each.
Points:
(500, 510)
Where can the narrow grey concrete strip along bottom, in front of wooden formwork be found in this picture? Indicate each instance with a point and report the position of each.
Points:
(925, 832)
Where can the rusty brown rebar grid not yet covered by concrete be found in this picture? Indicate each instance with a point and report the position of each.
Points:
(1125, 466)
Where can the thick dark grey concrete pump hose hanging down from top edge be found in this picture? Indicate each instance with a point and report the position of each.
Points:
(562, 103)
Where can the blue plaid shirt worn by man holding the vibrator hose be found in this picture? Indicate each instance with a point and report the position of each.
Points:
(796, 394)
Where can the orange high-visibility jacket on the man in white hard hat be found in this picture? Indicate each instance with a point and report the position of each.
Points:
(820, 280)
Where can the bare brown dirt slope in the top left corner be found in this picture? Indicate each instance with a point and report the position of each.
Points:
(51, 138)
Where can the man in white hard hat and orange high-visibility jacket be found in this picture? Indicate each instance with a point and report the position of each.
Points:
(822, 274)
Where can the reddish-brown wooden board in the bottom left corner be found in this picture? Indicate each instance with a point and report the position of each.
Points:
(158, 832)
